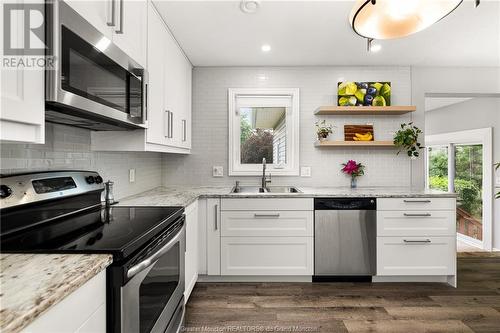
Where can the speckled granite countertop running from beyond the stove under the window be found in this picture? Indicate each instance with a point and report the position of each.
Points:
(185, 195)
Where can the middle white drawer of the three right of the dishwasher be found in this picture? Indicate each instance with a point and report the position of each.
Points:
(416, 223)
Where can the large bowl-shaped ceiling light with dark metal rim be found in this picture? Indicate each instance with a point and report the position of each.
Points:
(387, 19)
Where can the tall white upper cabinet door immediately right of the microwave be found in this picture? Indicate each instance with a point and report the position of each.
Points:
(157, 115)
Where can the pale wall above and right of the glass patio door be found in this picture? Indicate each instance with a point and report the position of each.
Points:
(472, 114)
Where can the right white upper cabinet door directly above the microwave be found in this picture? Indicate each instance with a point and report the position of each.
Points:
(130, 31)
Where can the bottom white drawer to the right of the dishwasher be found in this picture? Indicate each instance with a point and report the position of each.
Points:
(416, 256)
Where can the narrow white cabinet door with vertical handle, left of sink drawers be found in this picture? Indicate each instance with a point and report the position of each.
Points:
(213, 236)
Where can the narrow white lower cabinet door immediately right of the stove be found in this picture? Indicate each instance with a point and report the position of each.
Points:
(191, 254)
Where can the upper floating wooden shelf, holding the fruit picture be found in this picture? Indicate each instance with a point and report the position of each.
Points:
(365, 110)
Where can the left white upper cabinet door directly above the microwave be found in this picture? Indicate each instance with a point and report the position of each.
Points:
(99, 13)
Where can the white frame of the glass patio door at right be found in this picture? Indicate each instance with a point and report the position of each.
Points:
(482, 136)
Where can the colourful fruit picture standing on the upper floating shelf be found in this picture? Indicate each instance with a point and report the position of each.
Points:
(364, 94)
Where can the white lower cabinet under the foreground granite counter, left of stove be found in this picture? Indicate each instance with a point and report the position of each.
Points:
(82, 311)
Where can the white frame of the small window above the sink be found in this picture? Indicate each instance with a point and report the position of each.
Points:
(293, 119)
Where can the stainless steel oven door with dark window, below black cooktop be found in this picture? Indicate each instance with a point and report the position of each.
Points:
(152, 297)
